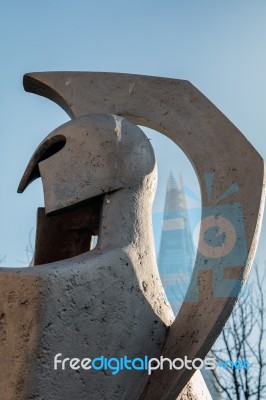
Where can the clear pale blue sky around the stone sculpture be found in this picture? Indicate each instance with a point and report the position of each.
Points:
(219, 46)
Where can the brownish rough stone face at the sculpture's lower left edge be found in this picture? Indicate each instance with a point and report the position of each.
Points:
(20, 325)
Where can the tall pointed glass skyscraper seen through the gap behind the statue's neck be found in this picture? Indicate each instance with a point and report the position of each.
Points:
(176, 254)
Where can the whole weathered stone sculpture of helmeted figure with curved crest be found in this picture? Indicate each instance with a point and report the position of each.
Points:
(99, 176)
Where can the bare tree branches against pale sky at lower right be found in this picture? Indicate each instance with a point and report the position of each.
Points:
(242, 340)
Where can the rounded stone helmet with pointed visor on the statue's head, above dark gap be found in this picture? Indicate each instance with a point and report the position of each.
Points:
(88, 157)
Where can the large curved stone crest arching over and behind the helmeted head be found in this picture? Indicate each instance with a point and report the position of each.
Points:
(213, 144)
